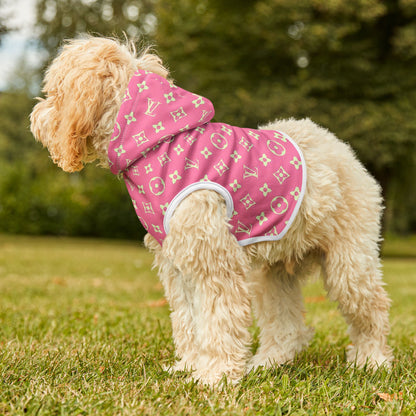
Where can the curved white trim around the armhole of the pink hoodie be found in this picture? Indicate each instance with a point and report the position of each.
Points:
(197, 186)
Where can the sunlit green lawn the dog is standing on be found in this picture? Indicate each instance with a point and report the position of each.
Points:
(84, 330)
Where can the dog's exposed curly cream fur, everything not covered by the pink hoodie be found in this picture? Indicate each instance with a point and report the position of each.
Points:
(210, 281)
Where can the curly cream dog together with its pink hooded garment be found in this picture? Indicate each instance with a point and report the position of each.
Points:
(216, 265)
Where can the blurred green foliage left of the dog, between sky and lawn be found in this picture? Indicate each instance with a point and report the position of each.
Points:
(38, 198)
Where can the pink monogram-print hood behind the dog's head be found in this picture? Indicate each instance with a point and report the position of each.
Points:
(153, 111)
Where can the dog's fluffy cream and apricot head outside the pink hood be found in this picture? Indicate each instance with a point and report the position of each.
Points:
(83, 88)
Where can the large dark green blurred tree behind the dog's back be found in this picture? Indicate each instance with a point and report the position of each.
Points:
(350, 66)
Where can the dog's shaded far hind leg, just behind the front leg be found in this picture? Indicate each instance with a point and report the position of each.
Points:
(278, 306)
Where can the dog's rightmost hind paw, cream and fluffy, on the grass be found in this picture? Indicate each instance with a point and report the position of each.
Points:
(371, 358)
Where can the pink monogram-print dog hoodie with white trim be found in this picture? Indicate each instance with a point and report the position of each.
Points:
(165, 147)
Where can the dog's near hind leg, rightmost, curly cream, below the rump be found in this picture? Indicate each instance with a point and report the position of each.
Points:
(352, 277)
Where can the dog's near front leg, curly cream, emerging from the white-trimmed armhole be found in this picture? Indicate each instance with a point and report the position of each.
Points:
(212, 270)
